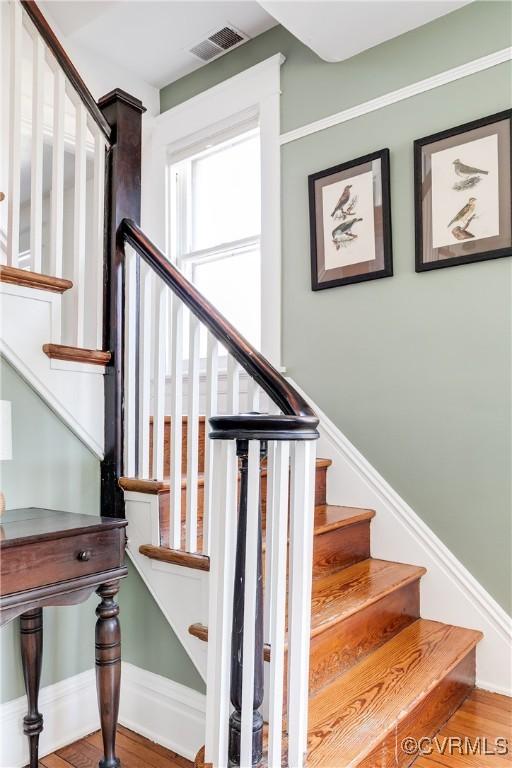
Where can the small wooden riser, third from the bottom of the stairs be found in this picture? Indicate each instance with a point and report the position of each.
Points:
(340, 548)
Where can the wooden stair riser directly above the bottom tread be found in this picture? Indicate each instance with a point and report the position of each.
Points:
(335, 650)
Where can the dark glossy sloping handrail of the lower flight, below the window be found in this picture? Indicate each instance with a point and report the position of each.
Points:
(269, 379)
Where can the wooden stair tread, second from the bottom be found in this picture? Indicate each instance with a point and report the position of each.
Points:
(339, 595)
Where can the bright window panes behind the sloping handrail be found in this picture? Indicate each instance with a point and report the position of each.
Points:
(215, 226)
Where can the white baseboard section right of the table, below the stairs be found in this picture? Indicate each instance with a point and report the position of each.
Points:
(162, 710)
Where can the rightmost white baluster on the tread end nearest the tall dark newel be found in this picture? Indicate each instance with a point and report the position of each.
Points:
(160, 309)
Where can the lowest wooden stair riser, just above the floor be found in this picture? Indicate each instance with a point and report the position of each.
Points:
(426, 719)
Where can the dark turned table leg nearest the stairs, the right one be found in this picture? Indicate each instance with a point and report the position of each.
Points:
(108, 669)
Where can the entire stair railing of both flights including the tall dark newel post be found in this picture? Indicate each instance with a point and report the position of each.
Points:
(162, 333)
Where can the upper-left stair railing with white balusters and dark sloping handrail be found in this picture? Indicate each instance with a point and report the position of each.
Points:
(55, 134)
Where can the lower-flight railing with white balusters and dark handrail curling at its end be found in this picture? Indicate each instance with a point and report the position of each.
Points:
(245, 608)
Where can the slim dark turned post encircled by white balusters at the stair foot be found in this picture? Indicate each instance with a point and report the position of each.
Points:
(237, 636)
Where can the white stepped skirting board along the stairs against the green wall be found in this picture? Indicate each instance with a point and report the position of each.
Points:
(449, 592)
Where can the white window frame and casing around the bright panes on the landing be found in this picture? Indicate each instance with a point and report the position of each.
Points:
(249, 98)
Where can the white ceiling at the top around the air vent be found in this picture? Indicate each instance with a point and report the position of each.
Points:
(152, 38)
